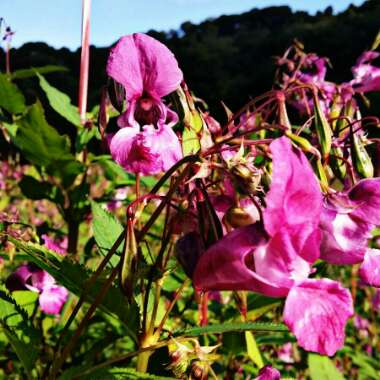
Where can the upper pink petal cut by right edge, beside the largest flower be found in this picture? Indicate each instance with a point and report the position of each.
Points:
(366, 197)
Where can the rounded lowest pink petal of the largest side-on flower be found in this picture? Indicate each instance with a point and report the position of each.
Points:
(316, 311)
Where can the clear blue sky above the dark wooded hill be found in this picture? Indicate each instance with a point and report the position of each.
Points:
(57, 22)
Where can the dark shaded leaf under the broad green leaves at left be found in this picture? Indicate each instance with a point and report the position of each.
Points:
(36, 190)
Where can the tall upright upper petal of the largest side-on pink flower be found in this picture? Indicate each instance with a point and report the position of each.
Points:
(294, 198)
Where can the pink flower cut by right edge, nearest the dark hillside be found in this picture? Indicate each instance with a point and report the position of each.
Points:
(366, 76)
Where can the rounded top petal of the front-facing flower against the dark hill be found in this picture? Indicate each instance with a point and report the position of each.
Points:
(141, 63)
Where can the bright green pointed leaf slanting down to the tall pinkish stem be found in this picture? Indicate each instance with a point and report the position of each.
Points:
(60, 102)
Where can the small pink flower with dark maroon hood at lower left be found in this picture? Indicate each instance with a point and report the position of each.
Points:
(30, 277)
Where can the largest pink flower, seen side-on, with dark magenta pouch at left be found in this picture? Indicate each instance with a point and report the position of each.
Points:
(277, 261)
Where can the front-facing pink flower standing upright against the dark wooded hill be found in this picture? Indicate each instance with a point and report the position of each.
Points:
(148, 71)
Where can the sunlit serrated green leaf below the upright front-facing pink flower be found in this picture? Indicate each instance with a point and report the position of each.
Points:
(106, 228)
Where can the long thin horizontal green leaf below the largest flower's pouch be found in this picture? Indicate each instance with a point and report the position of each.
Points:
(226, 327)
